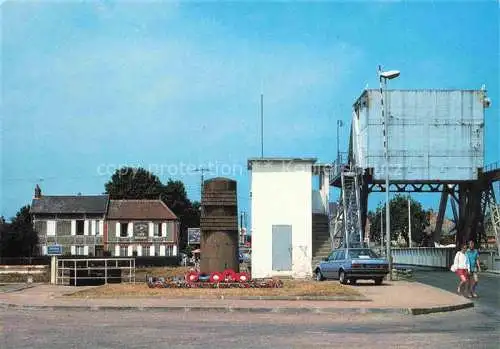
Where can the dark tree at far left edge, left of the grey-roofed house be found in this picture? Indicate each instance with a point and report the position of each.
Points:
(18, 238)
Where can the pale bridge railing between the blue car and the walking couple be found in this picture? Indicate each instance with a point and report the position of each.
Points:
(424, 256)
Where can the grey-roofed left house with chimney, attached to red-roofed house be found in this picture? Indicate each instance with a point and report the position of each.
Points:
(74, 222)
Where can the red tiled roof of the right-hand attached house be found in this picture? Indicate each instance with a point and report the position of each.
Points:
(139, 209)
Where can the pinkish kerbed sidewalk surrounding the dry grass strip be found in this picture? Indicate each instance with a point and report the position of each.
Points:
(397, 297)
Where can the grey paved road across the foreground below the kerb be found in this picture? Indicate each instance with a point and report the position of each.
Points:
(36, 329)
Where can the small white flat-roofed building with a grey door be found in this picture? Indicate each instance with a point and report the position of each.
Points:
(283, 204)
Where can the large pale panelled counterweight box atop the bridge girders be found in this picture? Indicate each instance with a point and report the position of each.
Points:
(433, 134)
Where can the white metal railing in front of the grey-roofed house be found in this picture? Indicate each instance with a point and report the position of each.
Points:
(87, 271)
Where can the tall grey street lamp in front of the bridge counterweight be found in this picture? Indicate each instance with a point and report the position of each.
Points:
(383, 77)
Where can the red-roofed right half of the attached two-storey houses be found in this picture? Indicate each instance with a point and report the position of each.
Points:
(141, 228)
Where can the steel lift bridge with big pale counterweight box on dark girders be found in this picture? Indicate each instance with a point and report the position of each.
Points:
(435, 145)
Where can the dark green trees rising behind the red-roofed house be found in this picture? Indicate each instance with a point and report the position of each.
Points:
(137, 183)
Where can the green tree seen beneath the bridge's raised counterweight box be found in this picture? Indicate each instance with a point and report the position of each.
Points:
(399, 220)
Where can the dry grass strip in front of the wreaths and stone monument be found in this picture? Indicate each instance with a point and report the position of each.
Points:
(291, 288)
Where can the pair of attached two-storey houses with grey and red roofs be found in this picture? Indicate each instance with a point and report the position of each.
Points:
(91, 225)
